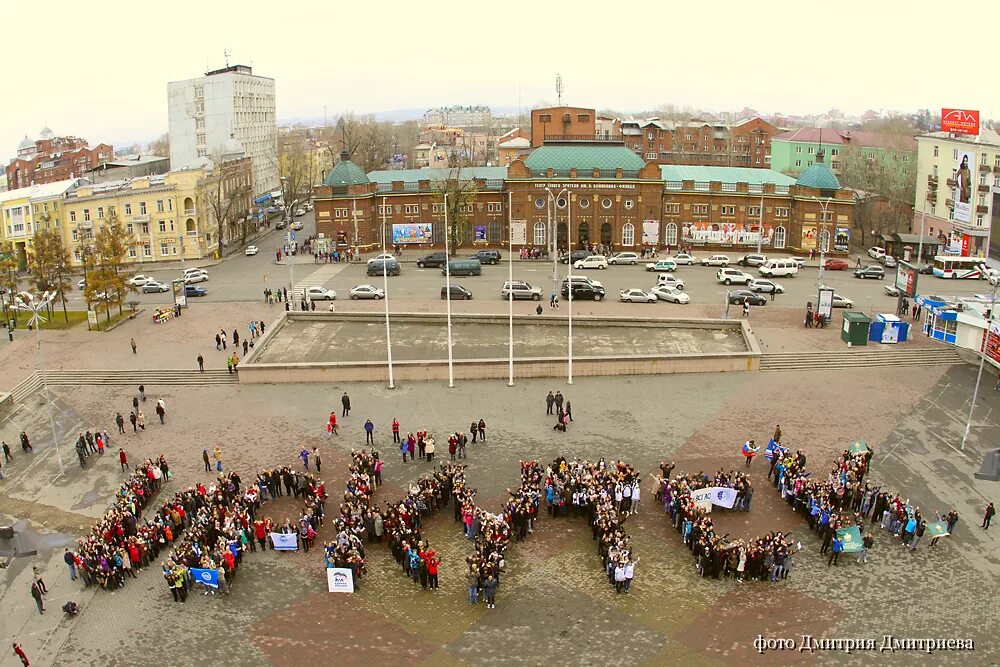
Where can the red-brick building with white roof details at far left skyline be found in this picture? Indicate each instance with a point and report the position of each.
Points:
(51, 159)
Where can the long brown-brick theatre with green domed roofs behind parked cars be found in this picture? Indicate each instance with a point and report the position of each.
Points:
(584, 195)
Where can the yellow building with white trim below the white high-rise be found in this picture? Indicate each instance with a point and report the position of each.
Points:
(170, 216)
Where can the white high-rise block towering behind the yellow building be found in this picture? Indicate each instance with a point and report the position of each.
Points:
(206, 111)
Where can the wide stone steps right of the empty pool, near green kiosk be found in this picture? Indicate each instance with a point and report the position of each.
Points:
(857, 358)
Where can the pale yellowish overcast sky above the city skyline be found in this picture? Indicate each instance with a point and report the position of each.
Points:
(100, 71)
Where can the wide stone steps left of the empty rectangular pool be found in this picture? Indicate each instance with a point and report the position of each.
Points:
(149, 377)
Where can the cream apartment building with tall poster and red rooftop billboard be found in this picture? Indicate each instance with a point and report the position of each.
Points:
(958, 191)
